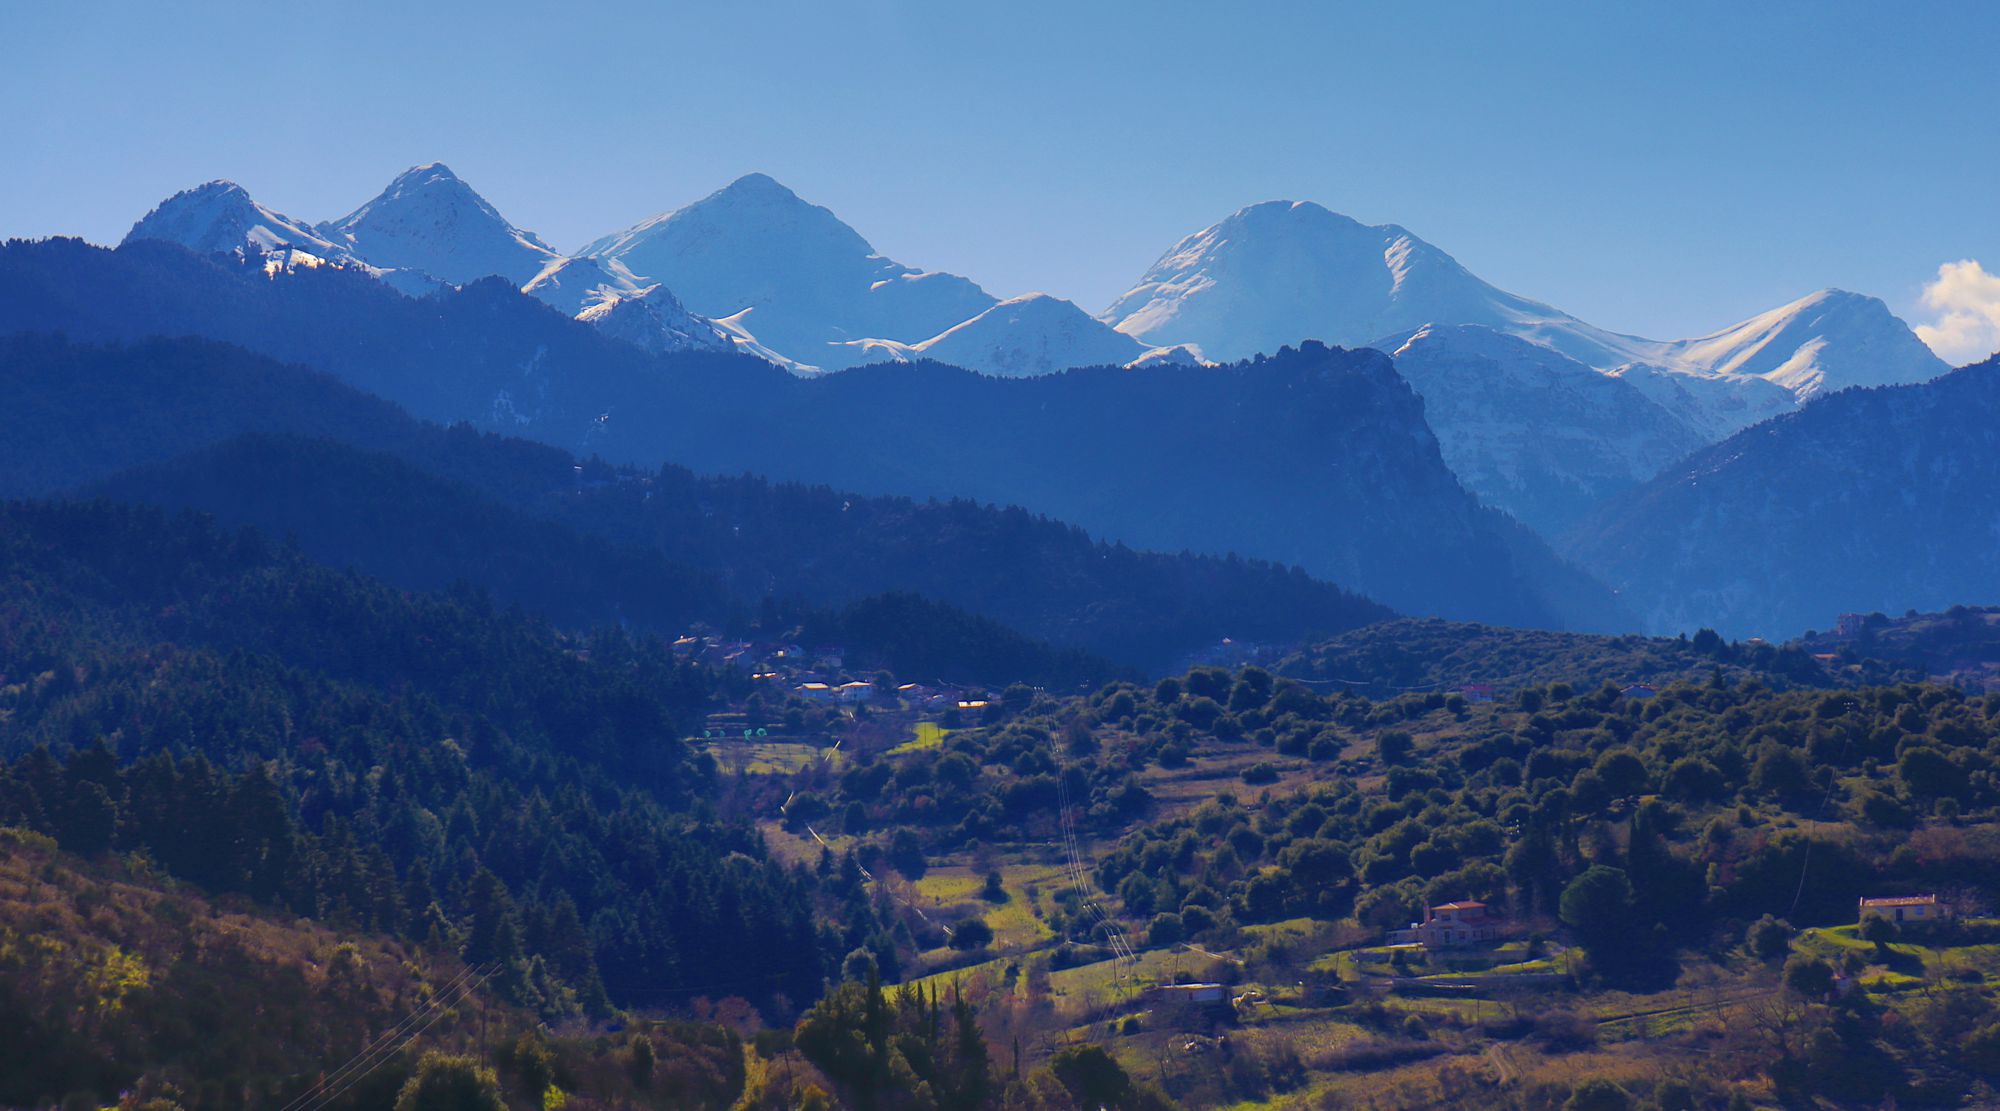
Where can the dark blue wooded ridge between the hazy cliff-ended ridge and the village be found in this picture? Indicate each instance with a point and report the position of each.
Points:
(583, 543)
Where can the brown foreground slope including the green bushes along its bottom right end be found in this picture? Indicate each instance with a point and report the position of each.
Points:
(119, 980)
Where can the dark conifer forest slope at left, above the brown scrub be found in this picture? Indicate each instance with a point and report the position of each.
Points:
(421, 766)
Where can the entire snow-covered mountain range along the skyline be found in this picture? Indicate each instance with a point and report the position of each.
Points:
(757, 269)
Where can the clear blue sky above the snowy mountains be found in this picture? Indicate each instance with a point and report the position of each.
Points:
(1659, 169)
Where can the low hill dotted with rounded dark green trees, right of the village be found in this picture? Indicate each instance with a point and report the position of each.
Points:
(1643, 824)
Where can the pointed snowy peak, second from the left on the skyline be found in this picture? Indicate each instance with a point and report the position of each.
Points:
(433, 221)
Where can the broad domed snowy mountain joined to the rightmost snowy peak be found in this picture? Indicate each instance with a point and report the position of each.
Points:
(1281, 273)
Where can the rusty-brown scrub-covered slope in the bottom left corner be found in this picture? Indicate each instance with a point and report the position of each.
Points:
(113, 982)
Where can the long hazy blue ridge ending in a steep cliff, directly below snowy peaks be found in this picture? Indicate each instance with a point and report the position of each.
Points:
(1319, 459)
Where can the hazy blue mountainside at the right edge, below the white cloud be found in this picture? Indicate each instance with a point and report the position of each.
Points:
(1863, 501)
